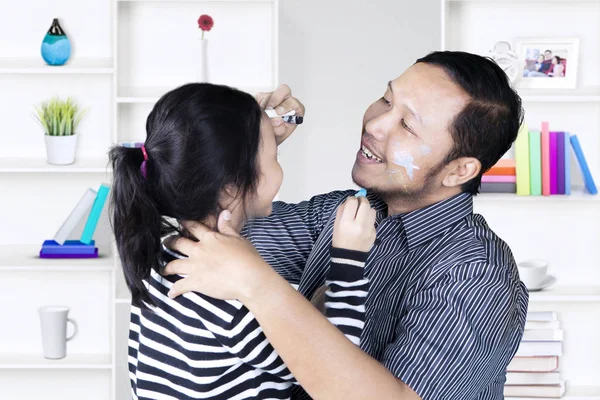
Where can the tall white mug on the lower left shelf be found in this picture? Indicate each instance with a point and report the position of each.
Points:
(54, 320)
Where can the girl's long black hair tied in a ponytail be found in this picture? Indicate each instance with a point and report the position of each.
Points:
(199, 138)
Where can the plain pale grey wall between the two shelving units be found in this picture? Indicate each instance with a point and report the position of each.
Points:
(337, 56)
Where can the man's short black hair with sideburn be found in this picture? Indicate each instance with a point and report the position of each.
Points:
(488, 125)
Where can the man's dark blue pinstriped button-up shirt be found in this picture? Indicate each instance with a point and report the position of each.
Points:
(446, 309)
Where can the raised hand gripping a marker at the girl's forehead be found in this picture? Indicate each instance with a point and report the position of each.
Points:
(282, 101)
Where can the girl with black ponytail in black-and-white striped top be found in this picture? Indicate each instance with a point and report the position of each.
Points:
(210, 148)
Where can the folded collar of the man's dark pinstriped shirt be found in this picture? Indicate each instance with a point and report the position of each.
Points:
(426, 223)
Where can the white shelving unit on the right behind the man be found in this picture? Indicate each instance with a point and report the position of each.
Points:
(560, 229)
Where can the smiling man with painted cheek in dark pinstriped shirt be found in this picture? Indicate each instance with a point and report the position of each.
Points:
(445, 310)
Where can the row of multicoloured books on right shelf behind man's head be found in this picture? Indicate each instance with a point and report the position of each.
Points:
(542, 165)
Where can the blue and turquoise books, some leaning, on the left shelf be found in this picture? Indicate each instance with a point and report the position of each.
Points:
(59, 247)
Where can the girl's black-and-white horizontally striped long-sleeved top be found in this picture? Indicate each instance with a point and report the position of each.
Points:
(197, 347)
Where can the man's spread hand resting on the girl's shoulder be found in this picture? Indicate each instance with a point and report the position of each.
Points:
(222, 264)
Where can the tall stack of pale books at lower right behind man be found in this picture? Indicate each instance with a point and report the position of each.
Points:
(534, 372)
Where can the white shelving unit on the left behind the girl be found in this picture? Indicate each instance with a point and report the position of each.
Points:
(120, 66)
